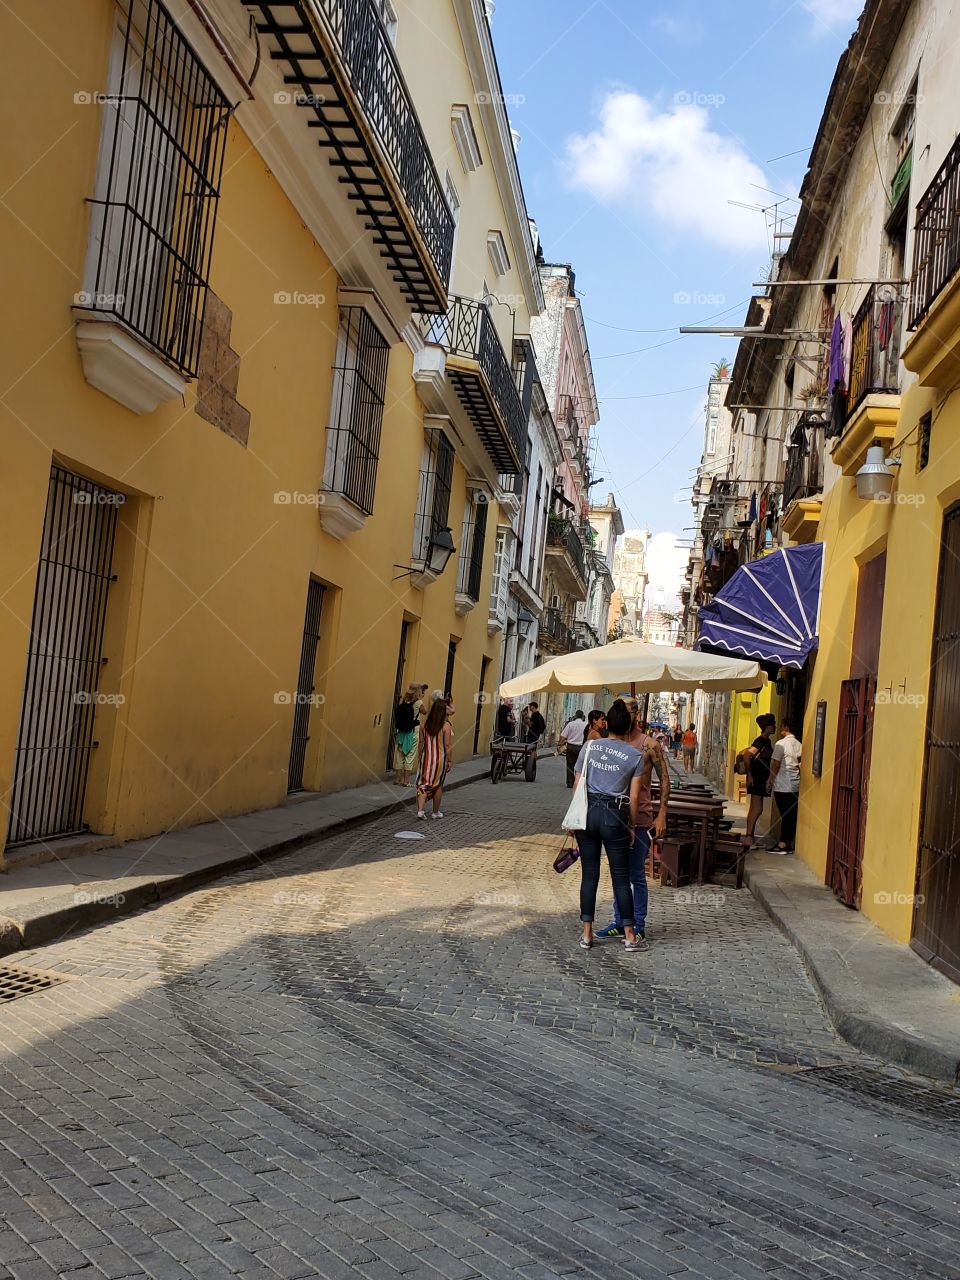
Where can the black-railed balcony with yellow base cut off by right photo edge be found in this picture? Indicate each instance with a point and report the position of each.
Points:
(934, 353)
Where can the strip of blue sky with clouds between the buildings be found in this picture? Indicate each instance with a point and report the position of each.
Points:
(639, 122)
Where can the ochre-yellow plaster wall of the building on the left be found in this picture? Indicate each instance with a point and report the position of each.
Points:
(205, 620)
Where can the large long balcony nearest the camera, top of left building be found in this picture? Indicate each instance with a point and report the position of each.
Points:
(345, 76)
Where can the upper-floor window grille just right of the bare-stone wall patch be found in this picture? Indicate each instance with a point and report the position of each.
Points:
(356, 409)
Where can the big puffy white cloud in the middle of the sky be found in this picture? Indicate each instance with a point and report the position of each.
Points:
(674, 164)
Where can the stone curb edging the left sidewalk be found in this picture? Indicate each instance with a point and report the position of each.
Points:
(51, 920)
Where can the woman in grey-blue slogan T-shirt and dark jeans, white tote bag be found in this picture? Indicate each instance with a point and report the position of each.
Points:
(614, 772)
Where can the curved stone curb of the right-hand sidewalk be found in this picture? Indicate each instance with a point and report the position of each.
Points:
(866, 1028)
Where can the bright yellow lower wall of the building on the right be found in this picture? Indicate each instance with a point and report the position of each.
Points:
(853, 533)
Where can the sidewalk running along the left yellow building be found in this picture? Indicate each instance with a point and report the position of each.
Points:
(43, 903)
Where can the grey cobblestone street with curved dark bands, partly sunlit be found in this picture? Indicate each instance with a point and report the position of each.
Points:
(381, 1058)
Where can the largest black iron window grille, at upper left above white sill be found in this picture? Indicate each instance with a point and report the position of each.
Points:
(158, 188)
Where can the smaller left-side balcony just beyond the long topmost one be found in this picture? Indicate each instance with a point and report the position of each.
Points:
(478, 368)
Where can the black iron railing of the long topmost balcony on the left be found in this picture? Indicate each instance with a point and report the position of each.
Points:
(378, 81)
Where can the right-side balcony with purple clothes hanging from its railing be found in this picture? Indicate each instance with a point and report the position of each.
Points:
(874, 395)
